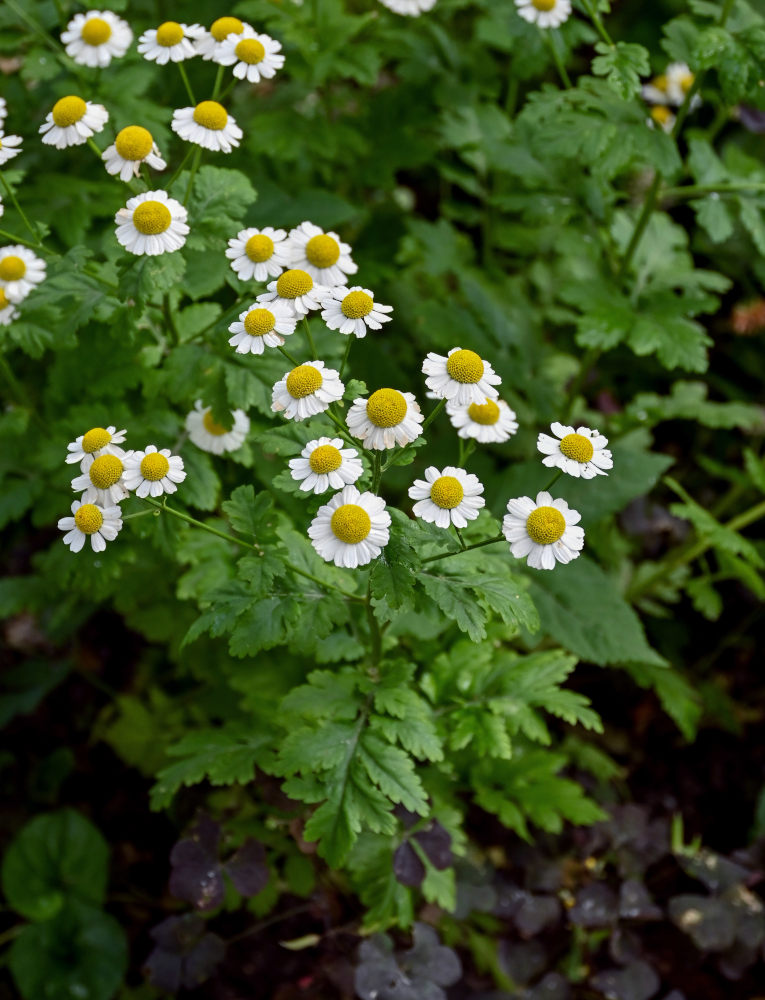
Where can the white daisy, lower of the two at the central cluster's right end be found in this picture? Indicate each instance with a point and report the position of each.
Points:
(544, 531)
